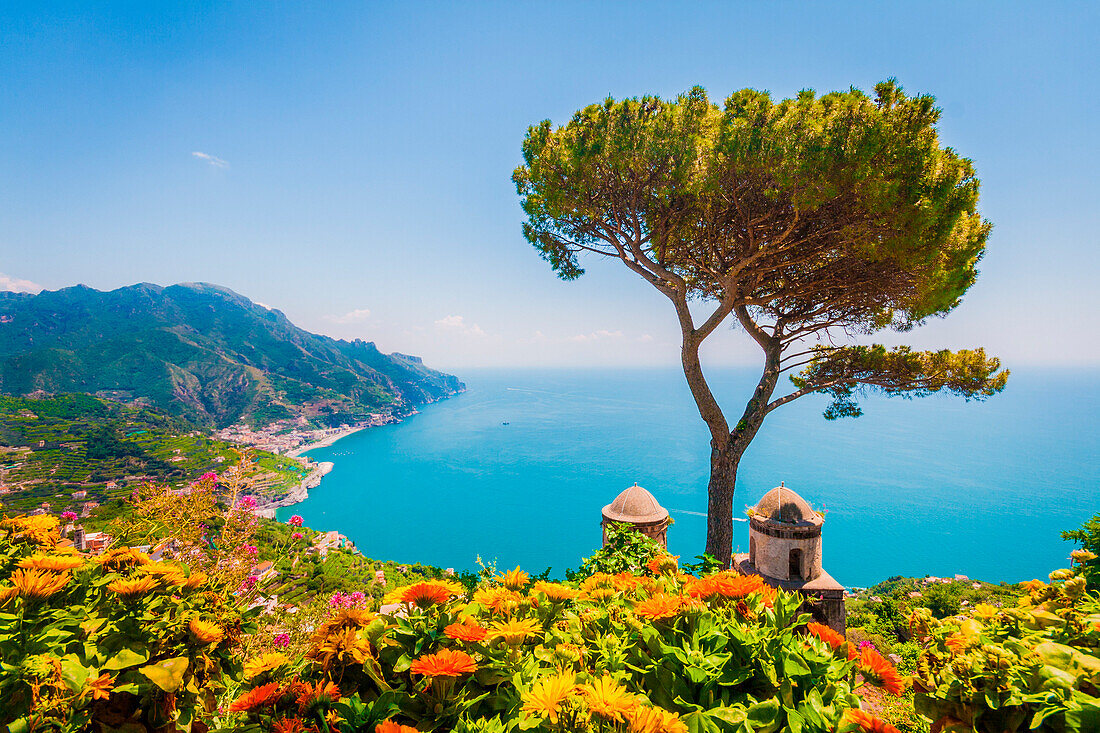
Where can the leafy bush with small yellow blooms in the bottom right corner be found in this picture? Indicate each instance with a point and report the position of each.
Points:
(1033, 666)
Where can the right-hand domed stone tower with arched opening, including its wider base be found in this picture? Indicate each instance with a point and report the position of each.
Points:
(786, 551)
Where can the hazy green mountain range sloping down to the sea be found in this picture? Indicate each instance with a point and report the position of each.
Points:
(204, 354)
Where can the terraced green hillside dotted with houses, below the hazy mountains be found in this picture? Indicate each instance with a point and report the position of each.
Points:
(53, 447)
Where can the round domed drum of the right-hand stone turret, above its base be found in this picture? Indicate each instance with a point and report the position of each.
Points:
(786, 537)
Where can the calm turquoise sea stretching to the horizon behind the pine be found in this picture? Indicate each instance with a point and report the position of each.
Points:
(915, 487)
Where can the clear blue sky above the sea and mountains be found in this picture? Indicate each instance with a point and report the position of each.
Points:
(357, 157)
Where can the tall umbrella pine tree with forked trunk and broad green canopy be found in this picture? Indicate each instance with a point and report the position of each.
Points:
(809, 222)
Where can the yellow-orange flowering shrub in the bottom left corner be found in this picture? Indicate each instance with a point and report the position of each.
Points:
(116, 642)
